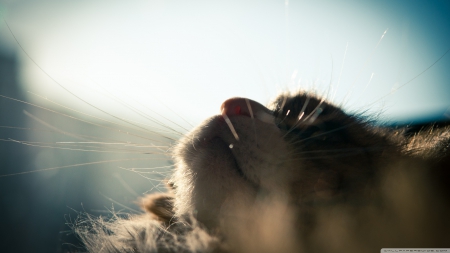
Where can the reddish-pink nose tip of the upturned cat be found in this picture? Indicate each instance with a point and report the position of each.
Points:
(246, 107)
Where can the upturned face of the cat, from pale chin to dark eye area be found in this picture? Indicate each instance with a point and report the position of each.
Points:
(301, 149)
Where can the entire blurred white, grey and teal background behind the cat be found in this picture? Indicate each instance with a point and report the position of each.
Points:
(94, 93)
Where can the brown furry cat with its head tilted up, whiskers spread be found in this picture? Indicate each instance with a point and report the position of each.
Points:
(299, 175)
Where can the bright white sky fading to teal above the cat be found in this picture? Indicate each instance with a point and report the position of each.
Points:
(182, 59)
